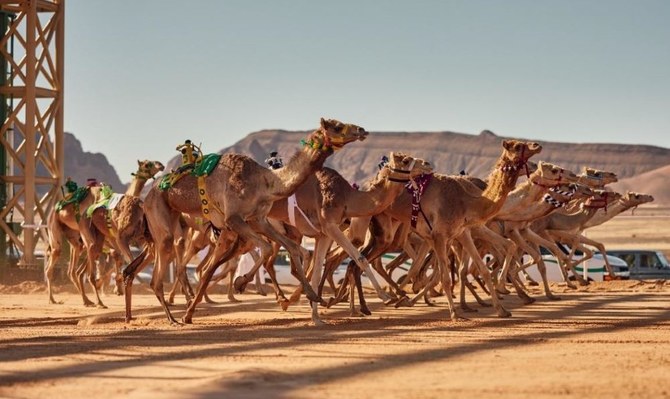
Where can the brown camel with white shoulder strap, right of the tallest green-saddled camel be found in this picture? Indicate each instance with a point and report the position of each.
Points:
(326, 199)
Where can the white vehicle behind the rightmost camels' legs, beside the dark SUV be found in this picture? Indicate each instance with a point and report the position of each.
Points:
(592, 269)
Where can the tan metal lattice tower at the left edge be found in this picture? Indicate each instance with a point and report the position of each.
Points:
(31, 112)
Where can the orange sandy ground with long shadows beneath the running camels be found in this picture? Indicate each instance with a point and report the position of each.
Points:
(607, 340)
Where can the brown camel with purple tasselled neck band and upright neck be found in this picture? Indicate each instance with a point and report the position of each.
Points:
(450, 205)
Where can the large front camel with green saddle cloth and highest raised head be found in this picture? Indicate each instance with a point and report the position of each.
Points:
(237, 196)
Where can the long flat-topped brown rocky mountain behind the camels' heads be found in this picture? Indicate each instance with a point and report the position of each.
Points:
(452, 152)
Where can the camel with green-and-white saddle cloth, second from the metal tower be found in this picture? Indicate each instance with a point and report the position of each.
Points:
(124, 223)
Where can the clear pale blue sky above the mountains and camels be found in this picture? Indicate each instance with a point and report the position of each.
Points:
(141, 76)
